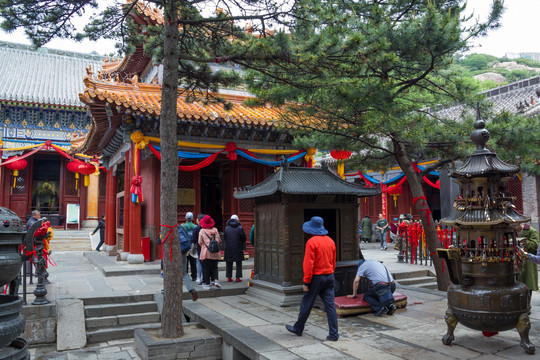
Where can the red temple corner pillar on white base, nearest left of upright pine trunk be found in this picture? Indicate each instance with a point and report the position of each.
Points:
(135, 255)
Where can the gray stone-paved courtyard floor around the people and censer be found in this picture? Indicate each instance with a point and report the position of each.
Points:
(411, 333)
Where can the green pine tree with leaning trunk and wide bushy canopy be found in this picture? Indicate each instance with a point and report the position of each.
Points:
(364, 75)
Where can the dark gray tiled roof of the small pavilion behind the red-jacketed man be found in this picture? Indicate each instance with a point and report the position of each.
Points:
(310, 181)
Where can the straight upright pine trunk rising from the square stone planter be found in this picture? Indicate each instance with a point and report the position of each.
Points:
(171, 320)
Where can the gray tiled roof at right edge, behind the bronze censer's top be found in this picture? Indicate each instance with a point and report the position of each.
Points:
(519, 97)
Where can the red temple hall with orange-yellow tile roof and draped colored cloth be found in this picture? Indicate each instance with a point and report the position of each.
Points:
(220, 149)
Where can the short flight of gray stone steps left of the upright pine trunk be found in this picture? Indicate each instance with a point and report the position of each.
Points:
(117, 317)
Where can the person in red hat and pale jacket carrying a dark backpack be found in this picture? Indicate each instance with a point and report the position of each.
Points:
(209, 241)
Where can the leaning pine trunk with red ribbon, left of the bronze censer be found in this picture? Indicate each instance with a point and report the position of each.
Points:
(417, 191)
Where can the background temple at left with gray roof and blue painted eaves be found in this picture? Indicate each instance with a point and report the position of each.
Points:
(38, 103)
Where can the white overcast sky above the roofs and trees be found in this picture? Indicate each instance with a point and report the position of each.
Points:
(518, 32)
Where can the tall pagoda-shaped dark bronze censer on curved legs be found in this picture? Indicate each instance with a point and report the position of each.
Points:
(484, 260)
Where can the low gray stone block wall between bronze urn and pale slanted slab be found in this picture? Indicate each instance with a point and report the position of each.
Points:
(40, 323)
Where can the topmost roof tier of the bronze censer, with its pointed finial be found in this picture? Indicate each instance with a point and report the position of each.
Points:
(482, 162)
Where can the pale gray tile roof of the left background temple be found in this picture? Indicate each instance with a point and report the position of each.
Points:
(43, 76)
